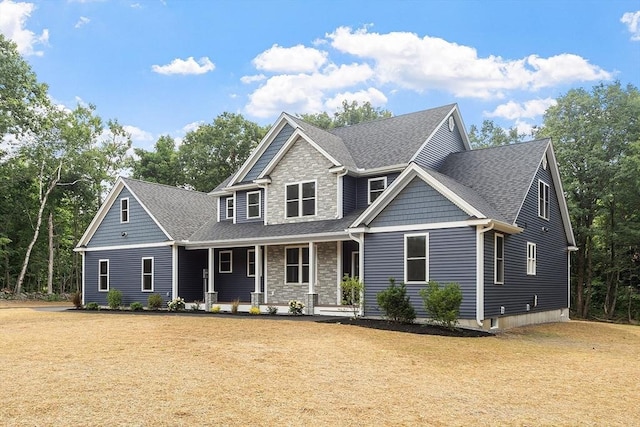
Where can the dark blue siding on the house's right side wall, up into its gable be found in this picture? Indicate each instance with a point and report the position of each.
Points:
(550, 281)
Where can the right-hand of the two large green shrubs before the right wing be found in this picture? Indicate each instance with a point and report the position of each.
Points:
(442, 304)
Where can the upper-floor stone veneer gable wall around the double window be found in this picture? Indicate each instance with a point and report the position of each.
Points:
(302, 163)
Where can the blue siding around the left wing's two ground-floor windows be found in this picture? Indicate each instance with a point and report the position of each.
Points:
(125, 274)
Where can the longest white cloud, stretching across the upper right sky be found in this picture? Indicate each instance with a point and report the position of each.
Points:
(430, 63)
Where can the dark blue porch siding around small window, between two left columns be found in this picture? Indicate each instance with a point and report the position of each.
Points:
(234, 285)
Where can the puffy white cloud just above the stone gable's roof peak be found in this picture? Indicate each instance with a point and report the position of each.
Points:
(304, 93)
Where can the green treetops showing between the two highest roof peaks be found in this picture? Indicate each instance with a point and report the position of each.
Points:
(351, 114)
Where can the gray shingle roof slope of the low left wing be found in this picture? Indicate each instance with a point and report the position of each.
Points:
(180, 212)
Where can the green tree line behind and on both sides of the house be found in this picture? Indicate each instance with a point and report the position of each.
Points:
(56, 166)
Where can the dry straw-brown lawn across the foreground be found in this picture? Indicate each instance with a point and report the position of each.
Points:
(89, 368)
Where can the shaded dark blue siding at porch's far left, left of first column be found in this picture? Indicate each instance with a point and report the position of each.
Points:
(190, 265)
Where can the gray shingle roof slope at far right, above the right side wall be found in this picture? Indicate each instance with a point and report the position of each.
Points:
(500, 175)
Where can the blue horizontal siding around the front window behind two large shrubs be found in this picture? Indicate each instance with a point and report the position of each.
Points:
(452, 258)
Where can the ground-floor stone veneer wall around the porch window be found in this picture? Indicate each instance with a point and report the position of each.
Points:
(279, 292)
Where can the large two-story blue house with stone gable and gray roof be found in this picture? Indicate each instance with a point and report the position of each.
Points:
(402, 197)
